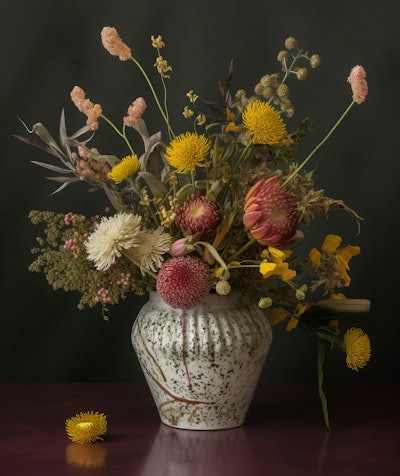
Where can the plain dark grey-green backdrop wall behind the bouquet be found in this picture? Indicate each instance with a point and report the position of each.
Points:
(48, 47)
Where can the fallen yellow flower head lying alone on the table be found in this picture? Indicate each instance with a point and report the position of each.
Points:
(86, 427)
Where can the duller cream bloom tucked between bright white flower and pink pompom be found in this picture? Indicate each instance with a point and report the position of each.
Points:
(152, 245)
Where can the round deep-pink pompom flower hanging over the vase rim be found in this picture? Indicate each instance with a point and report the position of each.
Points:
(183, 282)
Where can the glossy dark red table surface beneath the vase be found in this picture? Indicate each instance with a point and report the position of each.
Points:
(284, 434)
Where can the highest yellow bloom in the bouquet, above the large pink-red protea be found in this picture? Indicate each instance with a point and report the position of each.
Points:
(263, 123)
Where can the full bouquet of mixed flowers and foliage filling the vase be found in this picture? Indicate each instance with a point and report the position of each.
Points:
(218, 208)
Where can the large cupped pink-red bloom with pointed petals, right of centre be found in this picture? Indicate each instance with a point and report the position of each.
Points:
(270, 214)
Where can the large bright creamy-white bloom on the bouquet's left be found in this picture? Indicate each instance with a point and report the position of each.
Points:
(113, 234)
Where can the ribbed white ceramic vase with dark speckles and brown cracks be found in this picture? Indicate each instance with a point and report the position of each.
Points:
(202, 365)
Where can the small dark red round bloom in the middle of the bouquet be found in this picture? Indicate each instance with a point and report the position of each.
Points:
(198, 215)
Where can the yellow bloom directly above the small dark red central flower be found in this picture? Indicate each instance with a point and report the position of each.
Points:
(188, 151)
